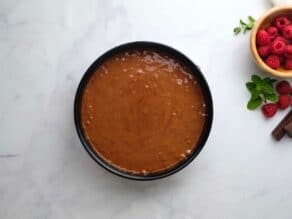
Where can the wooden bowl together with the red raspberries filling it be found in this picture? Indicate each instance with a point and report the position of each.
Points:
(271, 42)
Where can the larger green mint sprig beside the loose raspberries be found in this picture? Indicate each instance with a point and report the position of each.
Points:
(261, 90)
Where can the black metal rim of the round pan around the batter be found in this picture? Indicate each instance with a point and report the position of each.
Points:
(147, 45)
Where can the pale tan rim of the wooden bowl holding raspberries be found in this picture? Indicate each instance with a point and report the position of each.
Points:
(258, 60)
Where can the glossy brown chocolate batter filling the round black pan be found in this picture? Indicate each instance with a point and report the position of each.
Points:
(142, 112)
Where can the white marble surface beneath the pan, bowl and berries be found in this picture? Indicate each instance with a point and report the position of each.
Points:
(45, 46)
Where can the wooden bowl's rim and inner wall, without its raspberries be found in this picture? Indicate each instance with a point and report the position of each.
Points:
(262, 23)
